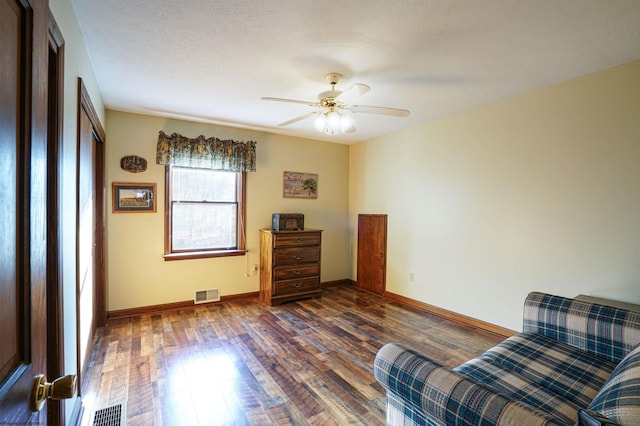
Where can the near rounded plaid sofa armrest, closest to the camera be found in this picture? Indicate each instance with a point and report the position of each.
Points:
(447, 397)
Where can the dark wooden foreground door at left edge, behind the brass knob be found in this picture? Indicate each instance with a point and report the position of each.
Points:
(23, 205)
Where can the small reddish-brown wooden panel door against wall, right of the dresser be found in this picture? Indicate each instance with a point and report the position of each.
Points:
(372, 252)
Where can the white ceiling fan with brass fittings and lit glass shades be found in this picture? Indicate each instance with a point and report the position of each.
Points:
(334, 108)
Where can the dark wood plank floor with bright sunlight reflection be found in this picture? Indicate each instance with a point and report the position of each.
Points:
(243, 363)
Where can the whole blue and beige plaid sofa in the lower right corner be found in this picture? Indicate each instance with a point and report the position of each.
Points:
(575, 362)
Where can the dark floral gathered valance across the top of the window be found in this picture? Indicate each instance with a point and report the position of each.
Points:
(206, 153)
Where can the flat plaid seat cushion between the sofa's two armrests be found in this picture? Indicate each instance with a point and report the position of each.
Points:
(554, 377)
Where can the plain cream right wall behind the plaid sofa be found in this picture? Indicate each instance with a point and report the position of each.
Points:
(538, 192)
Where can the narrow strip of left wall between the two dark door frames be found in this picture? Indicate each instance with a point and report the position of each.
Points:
(76, 64)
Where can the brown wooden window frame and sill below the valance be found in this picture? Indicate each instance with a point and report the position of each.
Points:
(240, 250)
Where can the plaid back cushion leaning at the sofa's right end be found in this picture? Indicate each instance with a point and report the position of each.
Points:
(619, 398)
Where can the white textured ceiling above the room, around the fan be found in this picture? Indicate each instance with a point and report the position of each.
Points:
(212, 60)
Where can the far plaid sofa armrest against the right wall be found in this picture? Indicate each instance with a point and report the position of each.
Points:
(604, 331)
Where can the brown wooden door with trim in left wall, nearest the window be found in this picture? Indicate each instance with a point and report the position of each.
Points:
(90, 226)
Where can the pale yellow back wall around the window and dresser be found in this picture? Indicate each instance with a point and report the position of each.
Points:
(138, 276)
